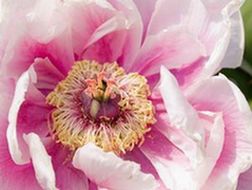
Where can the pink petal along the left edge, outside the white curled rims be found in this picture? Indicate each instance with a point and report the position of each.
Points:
(11, 175)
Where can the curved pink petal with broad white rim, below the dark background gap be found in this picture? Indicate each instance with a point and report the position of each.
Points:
(220, 95)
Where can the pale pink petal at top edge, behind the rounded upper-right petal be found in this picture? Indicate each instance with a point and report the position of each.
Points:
(176, 13)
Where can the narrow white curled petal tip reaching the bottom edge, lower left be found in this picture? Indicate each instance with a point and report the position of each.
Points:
(41, 162)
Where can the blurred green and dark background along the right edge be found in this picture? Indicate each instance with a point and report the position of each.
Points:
(243, 75)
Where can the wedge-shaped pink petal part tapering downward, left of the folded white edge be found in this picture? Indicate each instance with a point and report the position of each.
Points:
(87, 12)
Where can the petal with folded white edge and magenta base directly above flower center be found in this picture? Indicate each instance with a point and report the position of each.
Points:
(109, 31)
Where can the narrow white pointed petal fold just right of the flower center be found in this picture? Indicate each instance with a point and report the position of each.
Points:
(181, 114)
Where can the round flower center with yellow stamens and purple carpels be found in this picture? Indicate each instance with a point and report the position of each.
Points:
(102, 104)
